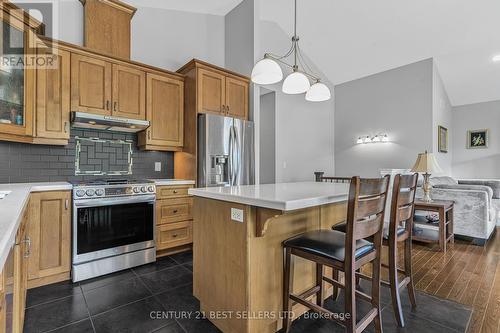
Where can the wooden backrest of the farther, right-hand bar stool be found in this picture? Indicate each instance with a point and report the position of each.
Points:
(403, 203)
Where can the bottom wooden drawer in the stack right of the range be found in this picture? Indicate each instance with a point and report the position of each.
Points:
(174, 234)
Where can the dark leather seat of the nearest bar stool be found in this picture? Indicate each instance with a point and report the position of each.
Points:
(327, 243)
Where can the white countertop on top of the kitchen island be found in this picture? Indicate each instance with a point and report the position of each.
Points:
(283, 196)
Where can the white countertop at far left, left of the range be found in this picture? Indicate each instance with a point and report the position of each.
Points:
(12, 206)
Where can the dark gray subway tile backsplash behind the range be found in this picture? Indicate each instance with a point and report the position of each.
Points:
(20, 162)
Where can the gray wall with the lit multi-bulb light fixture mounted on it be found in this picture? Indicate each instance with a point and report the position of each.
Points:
(397, 102)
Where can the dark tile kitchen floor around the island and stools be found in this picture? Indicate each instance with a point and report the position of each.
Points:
(125, 302)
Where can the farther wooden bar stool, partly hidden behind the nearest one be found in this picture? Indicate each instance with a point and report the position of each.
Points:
(402, 210)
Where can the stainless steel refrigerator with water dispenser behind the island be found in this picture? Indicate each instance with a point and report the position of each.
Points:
(225, 151)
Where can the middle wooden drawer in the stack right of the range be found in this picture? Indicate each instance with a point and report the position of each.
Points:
(173, 210)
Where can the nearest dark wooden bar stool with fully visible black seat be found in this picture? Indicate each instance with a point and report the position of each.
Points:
(345, 252)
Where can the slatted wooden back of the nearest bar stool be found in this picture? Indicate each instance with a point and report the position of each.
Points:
(366, 208)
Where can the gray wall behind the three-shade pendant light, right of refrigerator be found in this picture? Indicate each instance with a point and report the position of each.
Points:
(304, 130)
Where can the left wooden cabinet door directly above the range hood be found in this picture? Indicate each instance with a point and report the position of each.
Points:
(90, 84)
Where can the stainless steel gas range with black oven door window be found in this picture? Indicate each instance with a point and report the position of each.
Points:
(113, 226)
